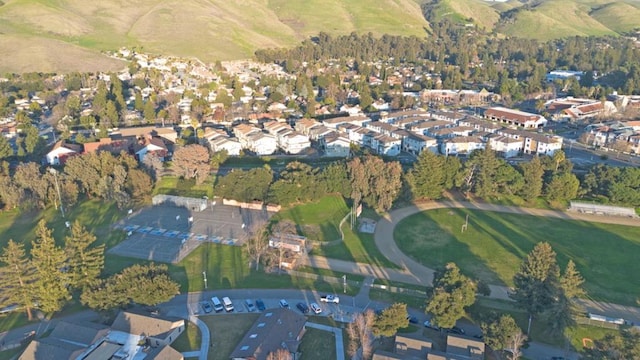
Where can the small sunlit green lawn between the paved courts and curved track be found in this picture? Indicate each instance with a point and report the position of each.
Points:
(319, 220)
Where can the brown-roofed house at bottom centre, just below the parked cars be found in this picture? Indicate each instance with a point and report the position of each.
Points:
(275, 329)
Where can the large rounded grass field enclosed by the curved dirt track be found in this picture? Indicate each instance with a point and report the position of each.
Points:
(494, 245)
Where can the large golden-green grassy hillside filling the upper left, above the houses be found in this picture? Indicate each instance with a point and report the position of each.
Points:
(208, 29)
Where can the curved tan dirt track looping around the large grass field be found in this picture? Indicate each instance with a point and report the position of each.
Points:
(412, 272)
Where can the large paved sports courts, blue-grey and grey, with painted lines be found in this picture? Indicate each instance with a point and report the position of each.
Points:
(168, 232)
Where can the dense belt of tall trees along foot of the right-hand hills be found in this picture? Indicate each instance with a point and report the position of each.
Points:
(514, 67)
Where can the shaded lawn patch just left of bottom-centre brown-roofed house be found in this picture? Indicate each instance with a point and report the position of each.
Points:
(226, 331)
